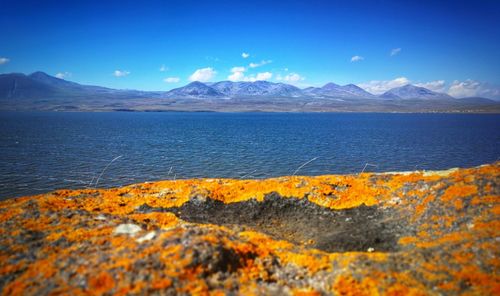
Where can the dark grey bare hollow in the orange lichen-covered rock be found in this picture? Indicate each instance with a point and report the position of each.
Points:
(301, 222)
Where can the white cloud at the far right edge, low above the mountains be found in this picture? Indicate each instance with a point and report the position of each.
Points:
(472, 88)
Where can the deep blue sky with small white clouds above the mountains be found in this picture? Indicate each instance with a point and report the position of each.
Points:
(450, 46)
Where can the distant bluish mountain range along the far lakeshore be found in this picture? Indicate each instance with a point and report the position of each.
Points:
(40, 91)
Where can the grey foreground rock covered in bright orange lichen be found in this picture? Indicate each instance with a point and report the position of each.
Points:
(394, 233)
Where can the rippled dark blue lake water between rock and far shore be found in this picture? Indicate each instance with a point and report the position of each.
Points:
(40, 152)
